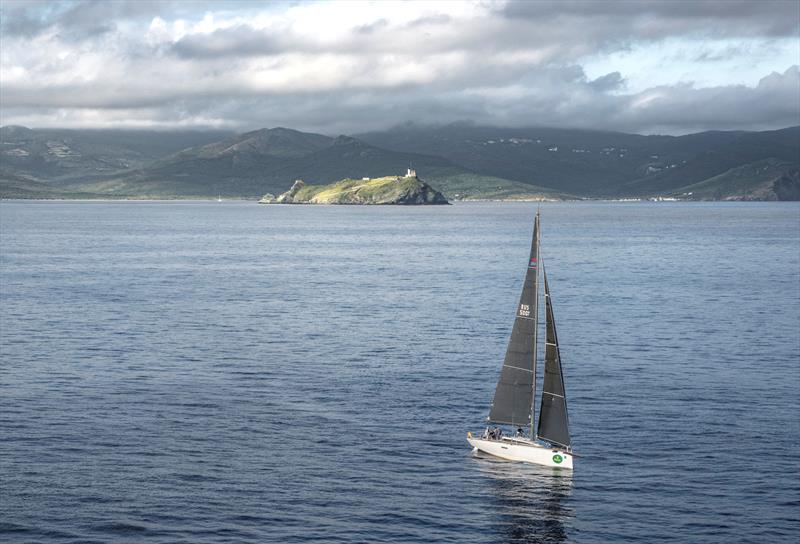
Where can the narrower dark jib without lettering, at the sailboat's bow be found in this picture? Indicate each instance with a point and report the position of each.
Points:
(553, 418)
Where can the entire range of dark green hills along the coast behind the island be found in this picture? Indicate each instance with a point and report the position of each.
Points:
(461, 160)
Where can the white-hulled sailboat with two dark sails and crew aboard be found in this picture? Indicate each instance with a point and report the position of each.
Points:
(547, 443)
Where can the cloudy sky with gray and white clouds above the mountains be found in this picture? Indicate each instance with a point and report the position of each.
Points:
(650, 67)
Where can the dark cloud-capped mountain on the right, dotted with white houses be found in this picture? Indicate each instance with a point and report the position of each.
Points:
(592, 163)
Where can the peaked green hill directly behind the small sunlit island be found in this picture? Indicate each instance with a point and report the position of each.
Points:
(268, 160)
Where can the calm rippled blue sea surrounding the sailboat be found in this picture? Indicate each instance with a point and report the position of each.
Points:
(205, 372)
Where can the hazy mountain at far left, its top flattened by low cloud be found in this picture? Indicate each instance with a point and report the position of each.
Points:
(70, 156)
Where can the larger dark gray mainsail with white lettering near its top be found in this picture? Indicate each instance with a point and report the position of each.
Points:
(513, 397)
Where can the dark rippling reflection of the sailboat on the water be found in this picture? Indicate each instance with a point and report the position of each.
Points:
(530, 500)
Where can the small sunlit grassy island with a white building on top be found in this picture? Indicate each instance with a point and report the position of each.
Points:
(405, 190)
